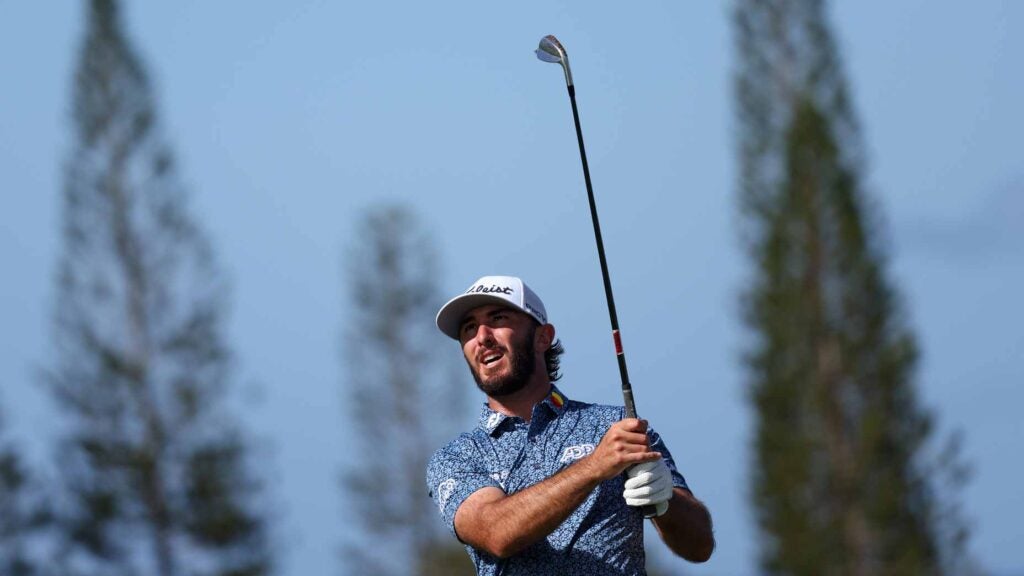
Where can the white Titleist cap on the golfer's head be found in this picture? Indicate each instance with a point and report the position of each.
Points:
(507, 291)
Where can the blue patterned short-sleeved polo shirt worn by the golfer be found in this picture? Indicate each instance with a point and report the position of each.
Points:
(603, 537)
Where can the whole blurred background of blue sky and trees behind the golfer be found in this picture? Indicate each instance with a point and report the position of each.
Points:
(228, 228)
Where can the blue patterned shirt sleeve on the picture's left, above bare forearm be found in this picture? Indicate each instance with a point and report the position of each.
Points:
(453, 474)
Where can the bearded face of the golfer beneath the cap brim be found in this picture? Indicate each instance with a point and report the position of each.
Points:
(498, 343)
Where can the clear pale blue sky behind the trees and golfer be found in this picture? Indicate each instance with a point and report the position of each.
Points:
(290, 120)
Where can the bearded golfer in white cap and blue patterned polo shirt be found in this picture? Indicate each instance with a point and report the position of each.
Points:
(545, 484)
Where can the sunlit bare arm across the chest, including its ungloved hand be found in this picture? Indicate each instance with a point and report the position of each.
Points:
(504, 525)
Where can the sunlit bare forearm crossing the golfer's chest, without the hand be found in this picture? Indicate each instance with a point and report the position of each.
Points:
(508, 525)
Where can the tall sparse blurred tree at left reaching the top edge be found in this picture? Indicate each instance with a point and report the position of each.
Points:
(154, 470)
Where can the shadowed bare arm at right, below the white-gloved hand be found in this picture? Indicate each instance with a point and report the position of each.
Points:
(687, 527)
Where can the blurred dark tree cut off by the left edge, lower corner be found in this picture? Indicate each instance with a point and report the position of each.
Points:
(24, 514)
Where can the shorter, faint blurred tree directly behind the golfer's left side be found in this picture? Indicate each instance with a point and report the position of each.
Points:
(404, 399)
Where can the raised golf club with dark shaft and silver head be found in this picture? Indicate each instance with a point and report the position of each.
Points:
(551, 51)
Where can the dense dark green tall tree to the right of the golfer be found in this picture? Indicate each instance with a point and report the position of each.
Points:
(845, 480)
